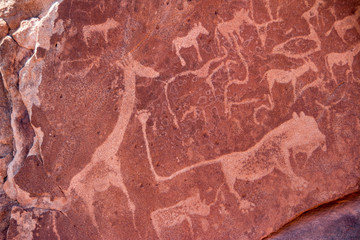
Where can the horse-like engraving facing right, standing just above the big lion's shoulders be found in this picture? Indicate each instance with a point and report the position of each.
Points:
(283, 76)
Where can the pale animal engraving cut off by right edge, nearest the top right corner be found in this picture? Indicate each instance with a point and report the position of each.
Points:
(345, 24)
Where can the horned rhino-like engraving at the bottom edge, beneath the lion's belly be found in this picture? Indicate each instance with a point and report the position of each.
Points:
(174, 215)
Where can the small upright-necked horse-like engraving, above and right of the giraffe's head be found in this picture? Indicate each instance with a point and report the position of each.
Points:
(188, 41)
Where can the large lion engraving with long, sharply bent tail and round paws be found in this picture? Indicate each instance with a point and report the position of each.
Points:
(301, 133)
